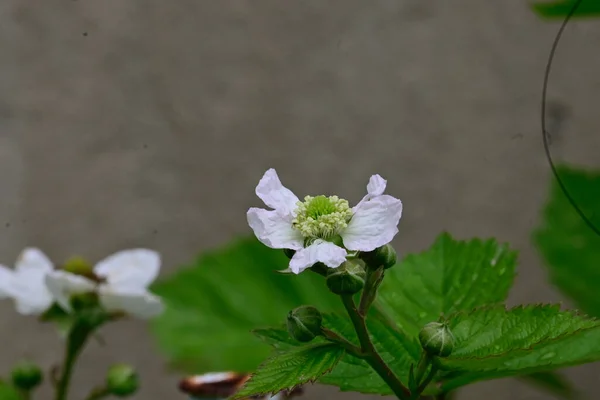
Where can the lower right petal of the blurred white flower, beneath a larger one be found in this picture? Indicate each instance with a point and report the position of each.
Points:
(141, 304)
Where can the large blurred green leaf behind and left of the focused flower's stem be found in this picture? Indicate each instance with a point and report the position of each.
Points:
(213, 305)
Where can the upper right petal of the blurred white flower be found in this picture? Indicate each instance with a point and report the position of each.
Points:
(135, 268)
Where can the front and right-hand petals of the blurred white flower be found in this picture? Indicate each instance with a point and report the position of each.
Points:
(124, 279)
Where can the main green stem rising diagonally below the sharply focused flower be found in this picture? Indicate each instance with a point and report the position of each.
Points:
(371, 355)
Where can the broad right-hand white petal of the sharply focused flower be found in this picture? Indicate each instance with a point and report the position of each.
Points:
(373, 224)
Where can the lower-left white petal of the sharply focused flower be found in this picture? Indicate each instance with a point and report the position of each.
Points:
(274, 230)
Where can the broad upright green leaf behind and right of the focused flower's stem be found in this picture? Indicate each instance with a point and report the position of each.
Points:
(451, 276)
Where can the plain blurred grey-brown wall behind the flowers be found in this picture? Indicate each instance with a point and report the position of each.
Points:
(148, 123)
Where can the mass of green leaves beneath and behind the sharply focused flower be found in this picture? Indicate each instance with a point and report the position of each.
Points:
(212, 307)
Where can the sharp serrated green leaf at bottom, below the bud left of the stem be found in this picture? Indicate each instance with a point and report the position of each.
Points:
(288, 370)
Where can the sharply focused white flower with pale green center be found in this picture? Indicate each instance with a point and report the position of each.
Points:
(309, 226)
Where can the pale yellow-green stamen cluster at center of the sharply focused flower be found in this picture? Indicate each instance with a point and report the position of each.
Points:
(322, 217)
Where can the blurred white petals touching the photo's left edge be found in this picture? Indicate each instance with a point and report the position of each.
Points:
(25, 284)
